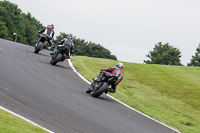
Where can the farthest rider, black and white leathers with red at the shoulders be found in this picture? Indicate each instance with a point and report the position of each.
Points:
(49, 32)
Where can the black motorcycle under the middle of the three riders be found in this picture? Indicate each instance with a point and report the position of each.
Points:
(61, 54)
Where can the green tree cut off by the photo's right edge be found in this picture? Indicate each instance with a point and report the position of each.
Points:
(195, 61)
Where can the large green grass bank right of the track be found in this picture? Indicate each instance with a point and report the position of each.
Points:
(170, 94)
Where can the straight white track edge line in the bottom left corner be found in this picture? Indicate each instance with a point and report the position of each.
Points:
(25, 119)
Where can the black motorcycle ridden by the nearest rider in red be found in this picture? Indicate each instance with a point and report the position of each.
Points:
(101, 83)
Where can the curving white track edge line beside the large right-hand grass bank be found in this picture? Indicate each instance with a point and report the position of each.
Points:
(74, 69)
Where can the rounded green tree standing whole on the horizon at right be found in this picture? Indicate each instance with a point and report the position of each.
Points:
(164, 54)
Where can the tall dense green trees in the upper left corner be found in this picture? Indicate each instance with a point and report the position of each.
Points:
(12, 20)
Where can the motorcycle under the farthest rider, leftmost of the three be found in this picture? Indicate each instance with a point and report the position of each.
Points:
(41, 43)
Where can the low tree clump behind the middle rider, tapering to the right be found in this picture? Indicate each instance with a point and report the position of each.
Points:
(87, 48)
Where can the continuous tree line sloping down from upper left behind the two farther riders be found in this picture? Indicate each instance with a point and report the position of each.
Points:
(13, 20)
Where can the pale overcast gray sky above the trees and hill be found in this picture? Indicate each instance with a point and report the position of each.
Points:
(128, 28)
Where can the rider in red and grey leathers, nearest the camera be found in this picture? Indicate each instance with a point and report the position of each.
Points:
(116, 71)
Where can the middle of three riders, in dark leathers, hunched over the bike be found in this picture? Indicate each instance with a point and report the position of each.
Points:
(67, 40)
